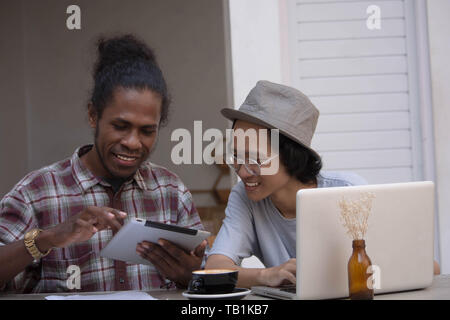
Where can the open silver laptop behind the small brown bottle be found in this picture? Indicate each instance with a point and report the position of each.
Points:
(399, 240)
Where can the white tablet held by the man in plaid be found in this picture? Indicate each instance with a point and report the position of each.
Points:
(123, 245)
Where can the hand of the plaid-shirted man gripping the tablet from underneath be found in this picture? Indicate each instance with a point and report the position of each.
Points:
(171, 261)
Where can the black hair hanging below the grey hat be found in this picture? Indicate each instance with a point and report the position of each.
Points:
(299, 162)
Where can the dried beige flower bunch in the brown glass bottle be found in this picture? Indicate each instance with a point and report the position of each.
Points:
(355, 214)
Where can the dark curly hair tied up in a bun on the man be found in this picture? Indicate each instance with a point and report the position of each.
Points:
(124, 61)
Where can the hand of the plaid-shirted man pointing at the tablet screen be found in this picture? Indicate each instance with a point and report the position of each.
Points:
(85, 224)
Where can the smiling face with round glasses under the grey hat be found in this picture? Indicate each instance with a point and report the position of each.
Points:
(262, 186)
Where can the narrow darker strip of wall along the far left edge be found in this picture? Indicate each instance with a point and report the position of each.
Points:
(13, 130)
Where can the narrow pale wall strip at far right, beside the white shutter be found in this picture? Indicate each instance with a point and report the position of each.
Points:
(439, 42)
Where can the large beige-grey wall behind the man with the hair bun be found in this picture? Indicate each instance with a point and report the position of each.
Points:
(187, 36)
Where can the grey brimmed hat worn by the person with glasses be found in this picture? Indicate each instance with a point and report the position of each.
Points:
(276, 106)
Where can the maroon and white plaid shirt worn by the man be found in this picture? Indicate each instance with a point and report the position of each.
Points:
(53, 194)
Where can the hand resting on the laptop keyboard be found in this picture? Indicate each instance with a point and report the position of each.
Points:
(280, 275)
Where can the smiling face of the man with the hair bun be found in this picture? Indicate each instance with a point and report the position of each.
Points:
(125, 134)
